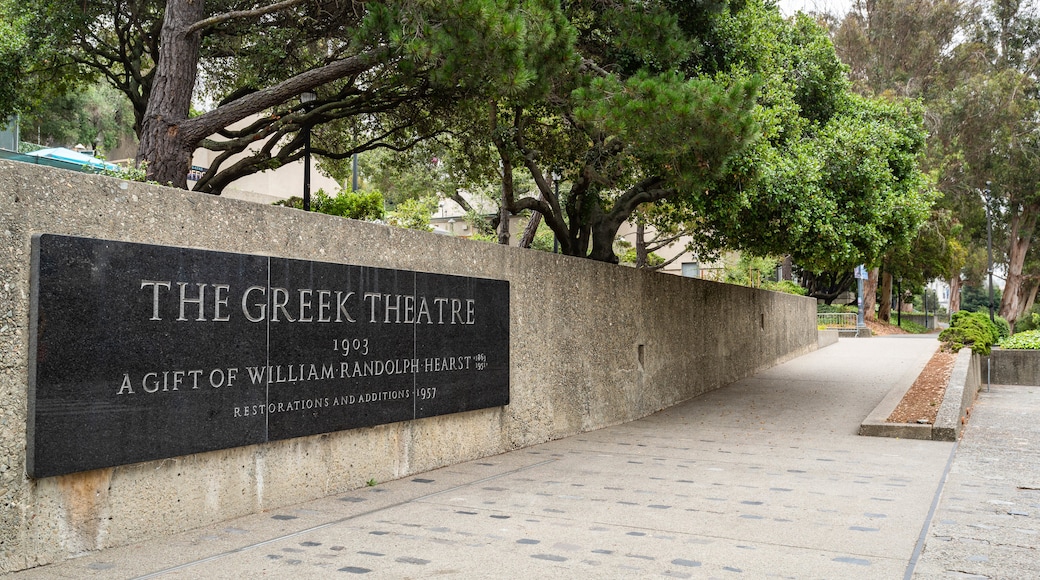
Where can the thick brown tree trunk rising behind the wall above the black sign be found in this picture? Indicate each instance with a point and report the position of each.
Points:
(163, 146)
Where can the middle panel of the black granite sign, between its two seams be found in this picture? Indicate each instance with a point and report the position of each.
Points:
(363, 357)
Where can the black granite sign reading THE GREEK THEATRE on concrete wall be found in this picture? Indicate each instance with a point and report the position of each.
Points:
(142, 353)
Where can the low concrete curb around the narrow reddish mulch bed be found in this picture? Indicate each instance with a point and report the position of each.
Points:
(961, 391)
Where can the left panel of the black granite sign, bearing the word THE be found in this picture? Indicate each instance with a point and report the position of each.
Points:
(122, 372)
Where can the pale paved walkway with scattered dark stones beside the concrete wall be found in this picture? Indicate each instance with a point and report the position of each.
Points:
(766, 479)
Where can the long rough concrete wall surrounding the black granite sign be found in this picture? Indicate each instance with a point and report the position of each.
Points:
(592, 346)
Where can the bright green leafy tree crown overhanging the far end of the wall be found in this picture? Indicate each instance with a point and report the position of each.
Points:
(835, 181)
